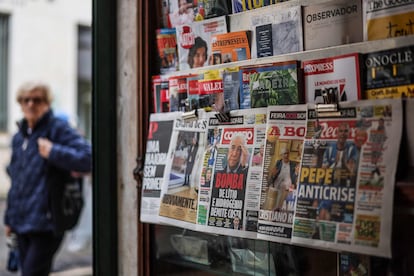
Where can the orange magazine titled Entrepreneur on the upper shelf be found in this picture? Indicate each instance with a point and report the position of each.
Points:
(229, 47)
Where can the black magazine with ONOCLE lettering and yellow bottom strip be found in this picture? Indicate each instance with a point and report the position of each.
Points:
(388, 73)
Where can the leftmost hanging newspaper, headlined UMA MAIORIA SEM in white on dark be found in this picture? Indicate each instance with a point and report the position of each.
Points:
(156, 160)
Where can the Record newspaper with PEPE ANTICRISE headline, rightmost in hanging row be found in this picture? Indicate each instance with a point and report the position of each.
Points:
(347, 177)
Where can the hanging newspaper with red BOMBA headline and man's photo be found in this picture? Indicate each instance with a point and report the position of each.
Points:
(230, 180)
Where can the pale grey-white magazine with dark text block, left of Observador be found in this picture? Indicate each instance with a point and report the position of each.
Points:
(277, 31)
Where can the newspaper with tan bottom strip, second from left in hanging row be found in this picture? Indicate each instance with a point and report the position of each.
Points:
(178, 205)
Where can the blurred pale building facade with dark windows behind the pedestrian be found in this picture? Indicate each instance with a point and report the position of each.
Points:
(49, 41)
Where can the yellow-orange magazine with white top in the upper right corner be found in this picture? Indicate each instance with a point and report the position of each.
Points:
(386, 19)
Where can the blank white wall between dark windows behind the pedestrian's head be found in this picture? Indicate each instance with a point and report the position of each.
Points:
(43, 46)
